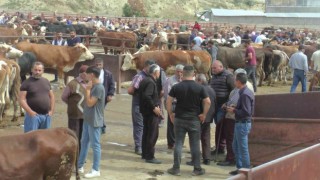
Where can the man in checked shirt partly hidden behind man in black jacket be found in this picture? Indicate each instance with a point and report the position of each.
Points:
(137, 119)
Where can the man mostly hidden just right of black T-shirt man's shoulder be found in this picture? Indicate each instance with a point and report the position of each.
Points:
(205, 126)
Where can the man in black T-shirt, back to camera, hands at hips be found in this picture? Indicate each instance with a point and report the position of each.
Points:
(188, 118)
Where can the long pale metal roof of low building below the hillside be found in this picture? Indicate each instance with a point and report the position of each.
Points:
(236, 12)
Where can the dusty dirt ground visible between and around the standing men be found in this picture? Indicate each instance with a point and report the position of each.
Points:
(118, 158)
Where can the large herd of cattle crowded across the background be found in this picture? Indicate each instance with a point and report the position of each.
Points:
(25, 41)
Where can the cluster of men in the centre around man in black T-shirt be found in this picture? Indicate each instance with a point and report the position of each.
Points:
(192, 104)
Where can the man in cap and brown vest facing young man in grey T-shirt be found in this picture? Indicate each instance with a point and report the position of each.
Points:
(73, 95)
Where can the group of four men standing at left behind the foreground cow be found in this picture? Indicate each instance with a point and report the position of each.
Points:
(86, 97)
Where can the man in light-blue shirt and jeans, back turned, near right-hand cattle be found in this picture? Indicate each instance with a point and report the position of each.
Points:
(299, 63)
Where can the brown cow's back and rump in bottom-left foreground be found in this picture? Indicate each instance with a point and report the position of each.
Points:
(41, 154)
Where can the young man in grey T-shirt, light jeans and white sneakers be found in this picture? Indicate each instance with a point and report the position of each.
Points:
(93, 114)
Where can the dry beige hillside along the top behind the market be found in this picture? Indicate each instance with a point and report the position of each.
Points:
(174, 9)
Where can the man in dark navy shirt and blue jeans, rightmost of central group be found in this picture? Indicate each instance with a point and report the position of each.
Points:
(243, 115)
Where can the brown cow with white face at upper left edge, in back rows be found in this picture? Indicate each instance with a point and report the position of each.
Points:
(13, 34)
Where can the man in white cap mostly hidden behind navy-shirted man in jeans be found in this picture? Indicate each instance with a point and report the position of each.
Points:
(230, 121)
